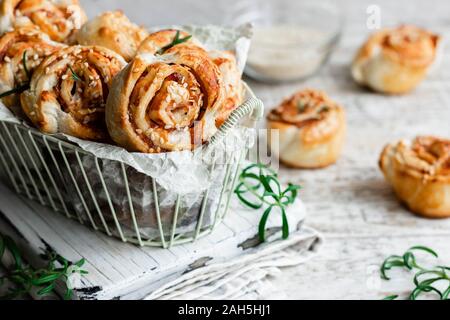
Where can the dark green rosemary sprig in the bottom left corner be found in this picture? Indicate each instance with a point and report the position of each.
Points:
(26, 279)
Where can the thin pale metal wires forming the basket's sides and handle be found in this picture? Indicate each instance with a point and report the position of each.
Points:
(36, 165)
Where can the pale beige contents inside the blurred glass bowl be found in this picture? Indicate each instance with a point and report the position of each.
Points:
(284, 53)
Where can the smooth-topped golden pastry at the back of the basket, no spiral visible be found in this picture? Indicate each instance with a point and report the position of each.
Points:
(114, 31)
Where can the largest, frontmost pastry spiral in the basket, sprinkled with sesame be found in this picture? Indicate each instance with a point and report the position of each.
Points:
(165, 103)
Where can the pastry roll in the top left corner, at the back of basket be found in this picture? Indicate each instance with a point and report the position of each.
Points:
(57, 18)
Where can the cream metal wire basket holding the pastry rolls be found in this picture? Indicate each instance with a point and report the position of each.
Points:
(53, 172)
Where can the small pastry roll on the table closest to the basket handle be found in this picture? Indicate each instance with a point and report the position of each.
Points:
(311, 130)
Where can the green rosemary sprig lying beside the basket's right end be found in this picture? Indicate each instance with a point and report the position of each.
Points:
(259, 187)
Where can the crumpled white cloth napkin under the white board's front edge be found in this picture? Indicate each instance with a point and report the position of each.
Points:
(247, 276)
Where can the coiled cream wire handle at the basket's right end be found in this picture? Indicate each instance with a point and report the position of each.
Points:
(253, 107)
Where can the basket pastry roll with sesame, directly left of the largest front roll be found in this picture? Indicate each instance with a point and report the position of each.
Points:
(68, 91)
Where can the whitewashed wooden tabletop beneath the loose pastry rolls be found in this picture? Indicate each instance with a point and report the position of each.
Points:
(350, 203)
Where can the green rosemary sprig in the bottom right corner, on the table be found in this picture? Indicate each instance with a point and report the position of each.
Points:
(424, 278)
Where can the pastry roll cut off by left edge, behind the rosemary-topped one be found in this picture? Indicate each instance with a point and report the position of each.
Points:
(21, 52)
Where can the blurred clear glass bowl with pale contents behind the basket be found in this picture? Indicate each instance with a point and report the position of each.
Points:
(292, 39)
